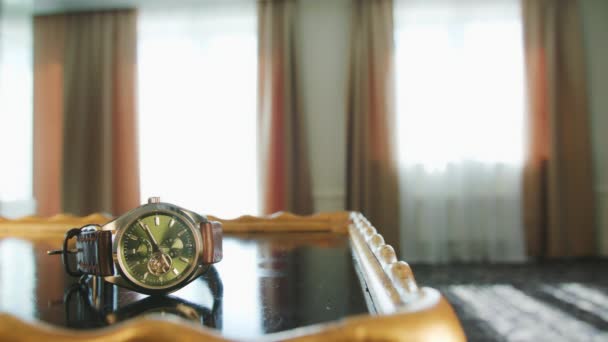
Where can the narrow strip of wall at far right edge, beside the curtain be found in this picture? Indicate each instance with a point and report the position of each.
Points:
(595, 27)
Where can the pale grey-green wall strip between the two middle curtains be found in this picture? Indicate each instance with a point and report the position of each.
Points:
(323, 44)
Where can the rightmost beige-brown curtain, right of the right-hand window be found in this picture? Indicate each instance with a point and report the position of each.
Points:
(558, 185)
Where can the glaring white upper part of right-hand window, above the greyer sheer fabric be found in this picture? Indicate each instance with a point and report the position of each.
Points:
(459, 82)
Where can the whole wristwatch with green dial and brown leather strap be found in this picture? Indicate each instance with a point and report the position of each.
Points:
(156, 248)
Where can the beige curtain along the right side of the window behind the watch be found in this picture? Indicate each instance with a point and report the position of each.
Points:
(284, 168)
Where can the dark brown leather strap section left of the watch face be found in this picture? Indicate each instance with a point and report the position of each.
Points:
(94, 252)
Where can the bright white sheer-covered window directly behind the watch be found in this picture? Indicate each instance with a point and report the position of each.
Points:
(197, 69)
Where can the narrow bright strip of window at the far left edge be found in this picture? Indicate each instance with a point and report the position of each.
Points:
(16, 113)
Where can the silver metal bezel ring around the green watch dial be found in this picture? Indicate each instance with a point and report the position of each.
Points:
(129, 218)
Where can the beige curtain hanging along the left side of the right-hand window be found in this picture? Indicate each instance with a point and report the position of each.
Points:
(372, 186)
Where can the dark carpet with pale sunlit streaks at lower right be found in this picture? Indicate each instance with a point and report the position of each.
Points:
(543, 301)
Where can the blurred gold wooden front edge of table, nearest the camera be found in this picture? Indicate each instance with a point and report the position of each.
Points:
(424, 323)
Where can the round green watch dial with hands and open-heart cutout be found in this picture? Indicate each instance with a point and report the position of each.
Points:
(157, 250)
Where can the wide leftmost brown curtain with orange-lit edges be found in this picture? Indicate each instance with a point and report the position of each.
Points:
(85, 122)
